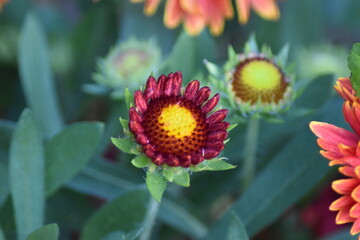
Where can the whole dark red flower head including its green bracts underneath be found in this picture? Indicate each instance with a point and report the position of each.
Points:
(173, 130)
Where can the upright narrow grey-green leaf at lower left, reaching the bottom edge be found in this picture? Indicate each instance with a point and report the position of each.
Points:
(27, 175)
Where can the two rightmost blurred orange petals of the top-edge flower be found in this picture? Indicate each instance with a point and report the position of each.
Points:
(267, 9)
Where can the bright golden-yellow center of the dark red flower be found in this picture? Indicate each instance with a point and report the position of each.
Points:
(177, 121)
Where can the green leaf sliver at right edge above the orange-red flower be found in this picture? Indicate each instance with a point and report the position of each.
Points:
(354, 66)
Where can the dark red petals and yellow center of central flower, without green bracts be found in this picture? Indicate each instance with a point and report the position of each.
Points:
(177, 128)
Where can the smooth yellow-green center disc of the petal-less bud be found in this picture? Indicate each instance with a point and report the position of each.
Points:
(261, 75)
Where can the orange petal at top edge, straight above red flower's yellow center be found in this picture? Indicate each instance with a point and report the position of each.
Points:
(173, 14)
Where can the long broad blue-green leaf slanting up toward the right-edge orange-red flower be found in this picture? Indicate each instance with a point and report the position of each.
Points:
(284, 181)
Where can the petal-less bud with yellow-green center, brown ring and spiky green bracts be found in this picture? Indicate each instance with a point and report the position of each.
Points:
(255, 82)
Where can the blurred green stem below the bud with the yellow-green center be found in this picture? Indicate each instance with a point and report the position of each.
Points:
(248, 171)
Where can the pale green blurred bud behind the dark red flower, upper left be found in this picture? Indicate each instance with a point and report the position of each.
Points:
(126, 63)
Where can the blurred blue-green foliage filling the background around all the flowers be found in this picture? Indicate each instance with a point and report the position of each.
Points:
(58, 166)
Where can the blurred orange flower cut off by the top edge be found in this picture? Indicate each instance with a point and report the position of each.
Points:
(197, 14)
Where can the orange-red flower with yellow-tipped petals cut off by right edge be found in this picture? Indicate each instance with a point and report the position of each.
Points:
(342, 147)
